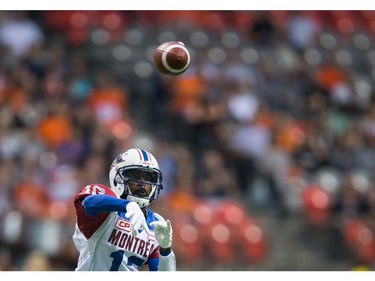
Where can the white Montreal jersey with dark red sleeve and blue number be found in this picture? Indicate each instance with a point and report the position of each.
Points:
(105, 241)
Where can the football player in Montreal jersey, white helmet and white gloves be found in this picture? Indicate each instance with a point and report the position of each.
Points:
(115, 229)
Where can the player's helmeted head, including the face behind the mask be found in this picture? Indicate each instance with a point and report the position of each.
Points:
(138, 171)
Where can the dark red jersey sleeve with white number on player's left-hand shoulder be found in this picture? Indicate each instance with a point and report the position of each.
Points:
(89, 224)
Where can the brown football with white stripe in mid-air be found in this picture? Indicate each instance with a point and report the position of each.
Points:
(172, 58)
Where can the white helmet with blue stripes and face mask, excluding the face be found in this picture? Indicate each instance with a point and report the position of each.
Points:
(135, 159)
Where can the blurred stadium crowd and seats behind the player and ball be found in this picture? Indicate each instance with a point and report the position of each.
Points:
(266, 142)
